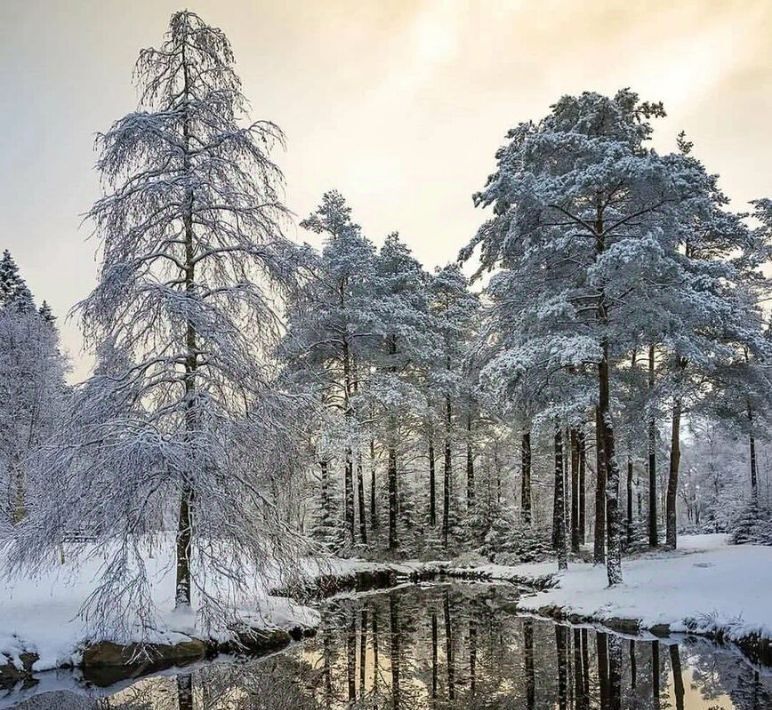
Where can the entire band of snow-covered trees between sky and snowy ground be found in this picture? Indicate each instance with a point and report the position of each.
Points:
(592, 368)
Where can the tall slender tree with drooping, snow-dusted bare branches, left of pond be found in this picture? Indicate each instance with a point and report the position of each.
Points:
(191, 241)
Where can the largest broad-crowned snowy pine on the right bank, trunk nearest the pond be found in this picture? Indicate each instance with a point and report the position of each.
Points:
(584, 224)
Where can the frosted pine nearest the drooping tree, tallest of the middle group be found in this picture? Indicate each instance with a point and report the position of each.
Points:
(331, 326)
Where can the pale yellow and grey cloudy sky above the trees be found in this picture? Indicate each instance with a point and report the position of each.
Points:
(398, 104)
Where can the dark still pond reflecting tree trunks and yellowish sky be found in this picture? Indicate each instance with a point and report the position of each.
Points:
(446, 646)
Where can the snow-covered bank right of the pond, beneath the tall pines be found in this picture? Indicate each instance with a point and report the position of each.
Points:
(705, 586)
